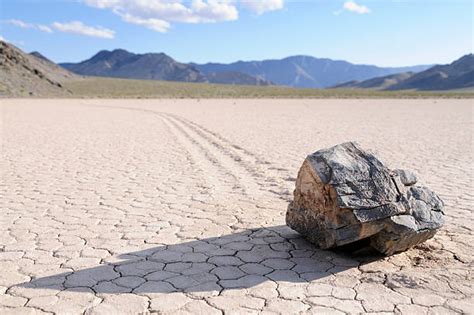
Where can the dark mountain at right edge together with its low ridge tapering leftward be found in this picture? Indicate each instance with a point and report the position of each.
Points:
(457, 75)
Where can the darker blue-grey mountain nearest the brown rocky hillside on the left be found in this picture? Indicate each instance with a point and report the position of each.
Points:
(120, 63)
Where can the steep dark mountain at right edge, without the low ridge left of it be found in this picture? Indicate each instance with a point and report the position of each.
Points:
(457, 75)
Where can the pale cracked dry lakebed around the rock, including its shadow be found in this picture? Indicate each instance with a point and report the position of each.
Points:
(127, 206)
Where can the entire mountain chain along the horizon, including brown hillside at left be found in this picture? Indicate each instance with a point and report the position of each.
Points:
(34, 74)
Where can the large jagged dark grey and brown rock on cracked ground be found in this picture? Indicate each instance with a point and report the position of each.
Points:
(344, 194)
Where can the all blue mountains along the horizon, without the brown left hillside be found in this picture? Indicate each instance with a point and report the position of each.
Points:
(296, 71)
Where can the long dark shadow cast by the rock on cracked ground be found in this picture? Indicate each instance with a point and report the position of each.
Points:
(236, 261)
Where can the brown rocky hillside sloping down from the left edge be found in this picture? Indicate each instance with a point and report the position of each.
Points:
(22, 74)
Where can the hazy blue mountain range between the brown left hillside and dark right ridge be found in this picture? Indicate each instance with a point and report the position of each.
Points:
(297, 71)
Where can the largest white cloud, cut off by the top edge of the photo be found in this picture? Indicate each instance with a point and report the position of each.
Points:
(159, 14)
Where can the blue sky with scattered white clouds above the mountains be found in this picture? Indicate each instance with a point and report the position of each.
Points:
(383, 32)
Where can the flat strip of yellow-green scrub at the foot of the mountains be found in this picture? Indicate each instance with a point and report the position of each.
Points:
(125, 88)
